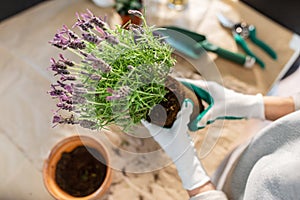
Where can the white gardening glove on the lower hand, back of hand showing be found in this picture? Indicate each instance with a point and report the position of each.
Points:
(178, 145)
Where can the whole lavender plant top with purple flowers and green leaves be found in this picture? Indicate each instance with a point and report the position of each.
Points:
(118, 78)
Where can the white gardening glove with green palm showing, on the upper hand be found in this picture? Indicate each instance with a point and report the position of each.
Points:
(223, 103)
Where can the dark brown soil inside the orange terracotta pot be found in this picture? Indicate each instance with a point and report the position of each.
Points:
(81, 171)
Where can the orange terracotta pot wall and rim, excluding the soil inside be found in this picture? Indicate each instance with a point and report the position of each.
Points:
(68, 145)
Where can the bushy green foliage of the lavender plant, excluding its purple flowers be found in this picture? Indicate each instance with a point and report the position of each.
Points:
(151, 61)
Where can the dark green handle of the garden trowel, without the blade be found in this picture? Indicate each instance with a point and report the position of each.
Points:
(235, 57)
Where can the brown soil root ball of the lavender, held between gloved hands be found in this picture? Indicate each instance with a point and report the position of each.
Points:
(164, 114)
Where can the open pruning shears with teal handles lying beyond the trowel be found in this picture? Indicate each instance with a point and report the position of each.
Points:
(241, 31)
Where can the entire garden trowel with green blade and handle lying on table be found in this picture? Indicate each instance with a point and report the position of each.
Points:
(194, 44)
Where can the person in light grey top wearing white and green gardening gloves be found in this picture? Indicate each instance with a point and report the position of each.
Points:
(264, 168)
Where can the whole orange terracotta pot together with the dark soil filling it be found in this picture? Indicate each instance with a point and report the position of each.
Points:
(90, 151)
